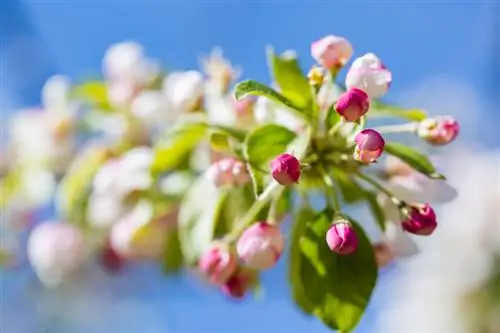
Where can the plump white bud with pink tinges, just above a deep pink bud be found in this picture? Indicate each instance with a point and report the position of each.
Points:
(370, 75)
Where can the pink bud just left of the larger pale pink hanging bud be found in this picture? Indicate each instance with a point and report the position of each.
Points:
(218, 265)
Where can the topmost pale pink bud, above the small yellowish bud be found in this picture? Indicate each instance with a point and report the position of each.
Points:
(331, 51)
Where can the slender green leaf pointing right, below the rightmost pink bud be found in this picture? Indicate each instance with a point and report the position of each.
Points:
(413, 158)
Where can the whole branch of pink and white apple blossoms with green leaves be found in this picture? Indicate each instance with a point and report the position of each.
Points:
(185, 169)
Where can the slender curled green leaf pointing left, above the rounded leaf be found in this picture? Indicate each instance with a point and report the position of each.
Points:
(250, 87)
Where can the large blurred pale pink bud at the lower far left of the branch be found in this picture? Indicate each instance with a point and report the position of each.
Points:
(56, 251)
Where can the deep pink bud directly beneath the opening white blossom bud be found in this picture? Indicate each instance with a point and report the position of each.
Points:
(353, 104)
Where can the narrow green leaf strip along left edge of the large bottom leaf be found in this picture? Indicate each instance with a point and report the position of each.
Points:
(295, 267)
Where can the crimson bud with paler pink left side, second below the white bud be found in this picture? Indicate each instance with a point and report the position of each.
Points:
(369, 146)
